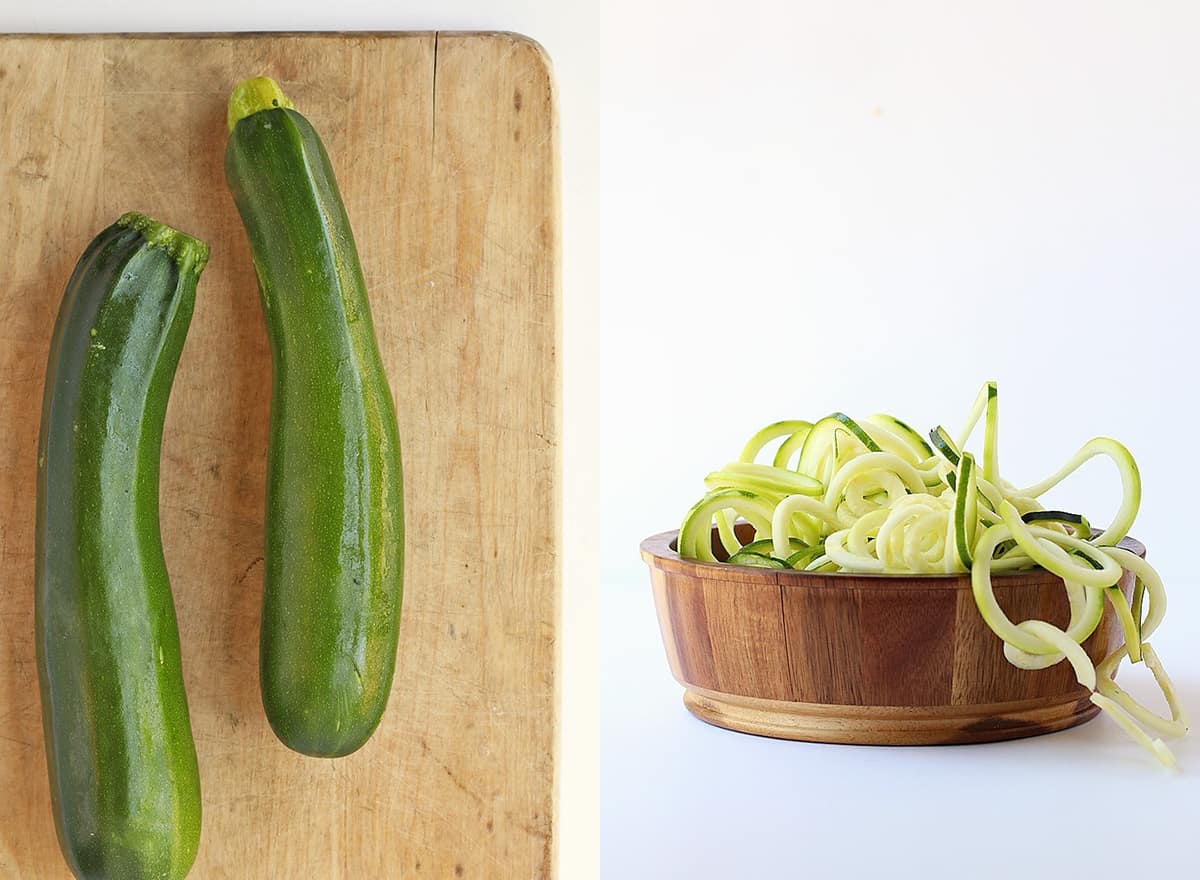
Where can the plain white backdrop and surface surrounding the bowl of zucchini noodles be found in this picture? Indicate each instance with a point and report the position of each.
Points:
(843, 206)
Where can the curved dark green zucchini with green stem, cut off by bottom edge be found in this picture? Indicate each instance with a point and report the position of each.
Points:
(124, 781)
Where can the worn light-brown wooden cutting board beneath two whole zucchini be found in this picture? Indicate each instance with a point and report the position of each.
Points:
(446, 149)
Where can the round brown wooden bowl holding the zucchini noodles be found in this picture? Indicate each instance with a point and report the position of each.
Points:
(874, 660)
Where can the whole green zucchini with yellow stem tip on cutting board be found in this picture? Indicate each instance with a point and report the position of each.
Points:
(335, 531)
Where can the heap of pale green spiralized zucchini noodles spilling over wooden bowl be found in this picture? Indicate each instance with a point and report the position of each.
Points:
(872, 496)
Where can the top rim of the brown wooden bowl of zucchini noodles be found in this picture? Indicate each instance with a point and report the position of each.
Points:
(657, 553)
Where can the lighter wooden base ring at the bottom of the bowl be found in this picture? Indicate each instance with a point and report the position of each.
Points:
(887, 726)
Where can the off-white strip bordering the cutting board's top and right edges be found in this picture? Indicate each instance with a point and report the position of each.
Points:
(572, 35)
